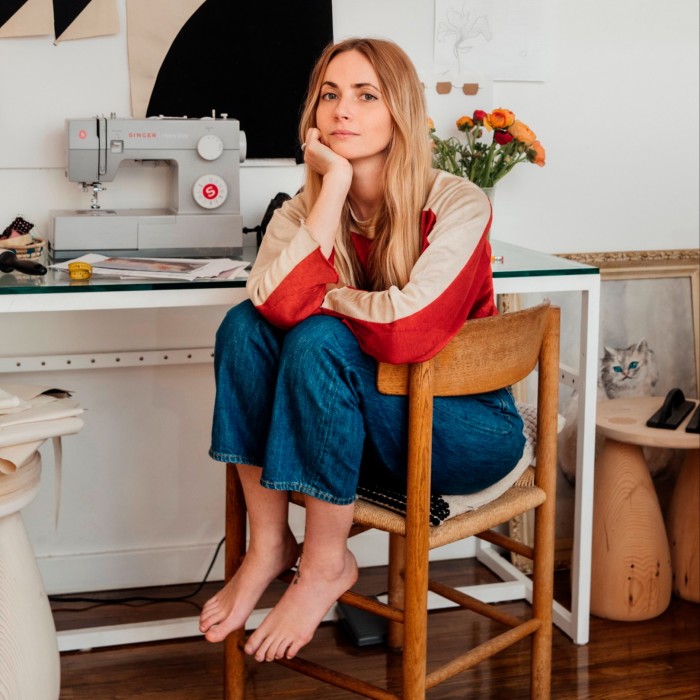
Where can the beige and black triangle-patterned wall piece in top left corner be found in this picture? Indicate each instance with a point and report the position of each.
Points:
(65, 19)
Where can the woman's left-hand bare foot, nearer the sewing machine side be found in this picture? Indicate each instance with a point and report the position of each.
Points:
(229, 609)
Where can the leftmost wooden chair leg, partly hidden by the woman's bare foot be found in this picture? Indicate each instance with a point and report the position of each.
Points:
(234, 657)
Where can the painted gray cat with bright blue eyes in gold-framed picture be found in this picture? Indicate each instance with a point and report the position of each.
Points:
(624, 372)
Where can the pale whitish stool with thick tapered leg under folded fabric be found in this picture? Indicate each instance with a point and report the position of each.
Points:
(29, 660)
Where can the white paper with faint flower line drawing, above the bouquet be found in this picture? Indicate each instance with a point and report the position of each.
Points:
(502, 39)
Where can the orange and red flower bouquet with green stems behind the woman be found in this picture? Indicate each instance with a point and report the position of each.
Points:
(478, 160)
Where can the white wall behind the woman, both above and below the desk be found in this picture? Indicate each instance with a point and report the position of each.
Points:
(142, 503)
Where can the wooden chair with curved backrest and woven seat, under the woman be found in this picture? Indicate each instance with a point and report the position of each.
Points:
(485, 355)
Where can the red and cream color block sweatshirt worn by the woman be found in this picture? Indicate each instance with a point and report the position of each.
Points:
(450, 282)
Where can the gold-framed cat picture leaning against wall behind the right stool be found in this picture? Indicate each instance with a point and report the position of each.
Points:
(650, 303)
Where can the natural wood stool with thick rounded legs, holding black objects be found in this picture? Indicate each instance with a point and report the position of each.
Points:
(632, 567)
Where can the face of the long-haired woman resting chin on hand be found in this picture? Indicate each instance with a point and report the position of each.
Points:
(352, 116)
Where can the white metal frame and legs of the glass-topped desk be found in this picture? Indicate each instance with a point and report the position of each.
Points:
(515, 585)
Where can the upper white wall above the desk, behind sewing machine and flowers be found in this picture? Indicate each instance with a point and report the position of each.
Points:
(618, 115)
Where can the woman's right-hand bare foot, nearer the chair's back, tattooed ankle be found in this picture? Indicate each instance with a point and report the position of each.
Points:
(292, 622)
